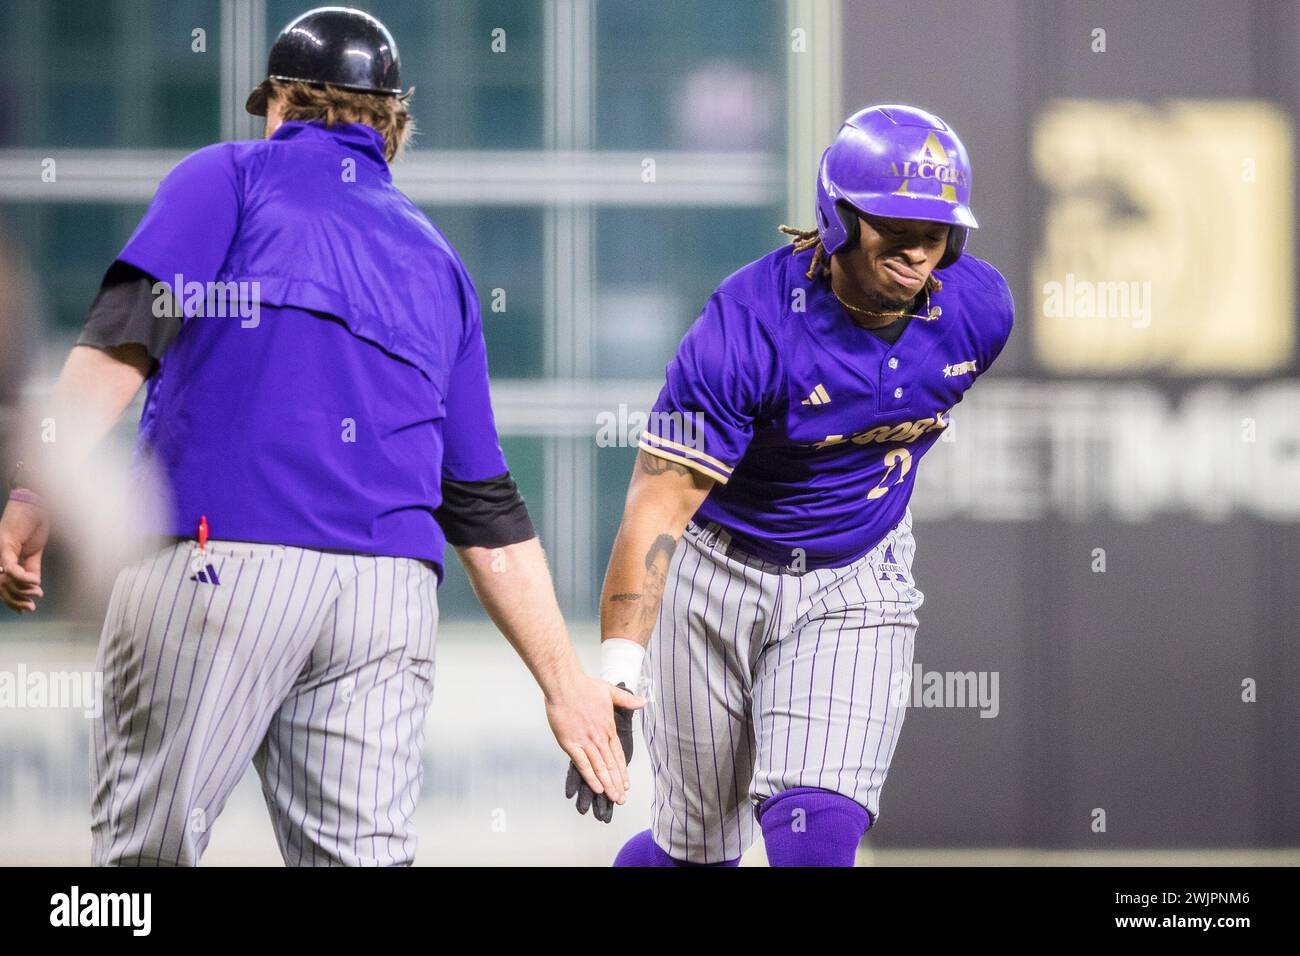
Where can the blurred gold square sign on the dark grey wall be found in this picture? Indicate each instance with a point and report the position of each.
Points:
(1167, 237)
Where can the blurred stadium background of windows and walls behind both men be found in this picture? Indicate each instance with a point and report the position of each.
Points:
(1108, 535)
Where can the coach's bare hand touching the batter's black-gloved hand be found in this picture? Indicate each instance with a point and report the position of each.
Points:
(583, 720)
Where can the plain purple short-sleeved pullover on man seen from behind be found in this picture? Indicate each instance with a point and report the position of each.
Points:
(331, 419)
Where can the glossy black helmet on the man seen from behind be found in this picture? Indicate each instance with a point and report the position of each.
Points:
(335, 46)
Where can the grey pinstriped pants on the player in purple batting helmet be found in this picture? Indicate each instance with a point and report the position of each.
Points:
(762, 680)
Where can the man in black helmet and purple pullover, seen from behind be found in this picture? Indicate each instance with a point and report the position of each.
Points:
(319, 448)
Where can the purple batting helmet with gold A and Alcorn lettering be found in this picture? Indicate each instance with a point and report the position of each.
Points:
(896, 163)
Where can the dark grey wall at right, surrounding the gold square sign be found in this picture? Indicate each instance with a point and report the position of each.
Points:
(1123, 690)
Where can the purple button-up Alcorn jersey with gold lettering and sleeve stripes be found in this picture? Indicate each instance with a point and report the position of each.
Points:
(812, 426)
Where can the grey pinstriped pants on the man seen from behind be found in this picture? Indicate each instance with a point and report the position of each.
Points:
(315, 668)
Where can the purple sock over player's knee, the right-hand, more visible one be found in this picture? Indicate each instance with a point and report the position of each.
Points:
(812, 828)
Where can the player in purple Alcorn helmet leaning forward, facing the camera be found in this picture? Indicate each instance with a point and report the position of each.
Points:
(762, 573)
